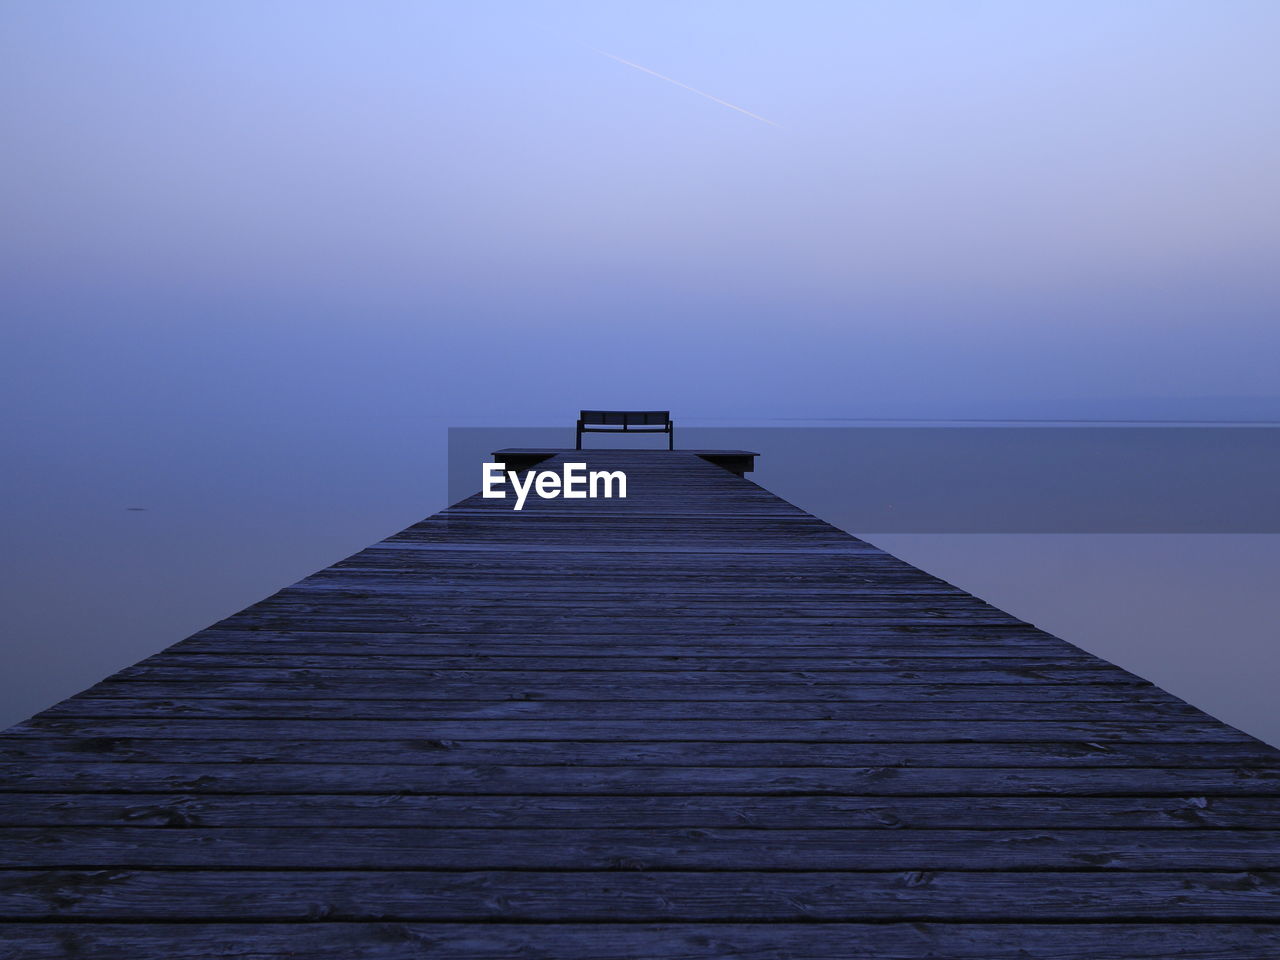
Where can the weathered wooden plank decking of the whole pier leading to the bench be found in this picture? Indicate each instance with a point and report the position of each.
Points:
(693, 724)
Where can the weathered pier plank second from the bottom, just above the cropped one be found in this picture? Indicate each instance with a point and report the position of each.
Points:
(916, 897)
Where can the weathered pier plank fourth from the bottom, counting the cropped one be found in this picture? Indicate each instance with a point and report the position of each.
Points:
(344, 811)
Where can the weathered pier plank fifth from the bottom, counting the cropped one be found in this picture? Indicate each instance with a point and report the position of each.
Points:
(339, 778)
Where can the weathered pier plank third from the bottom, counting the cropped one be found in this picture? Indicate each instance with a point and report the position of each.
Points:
(696, 849)
